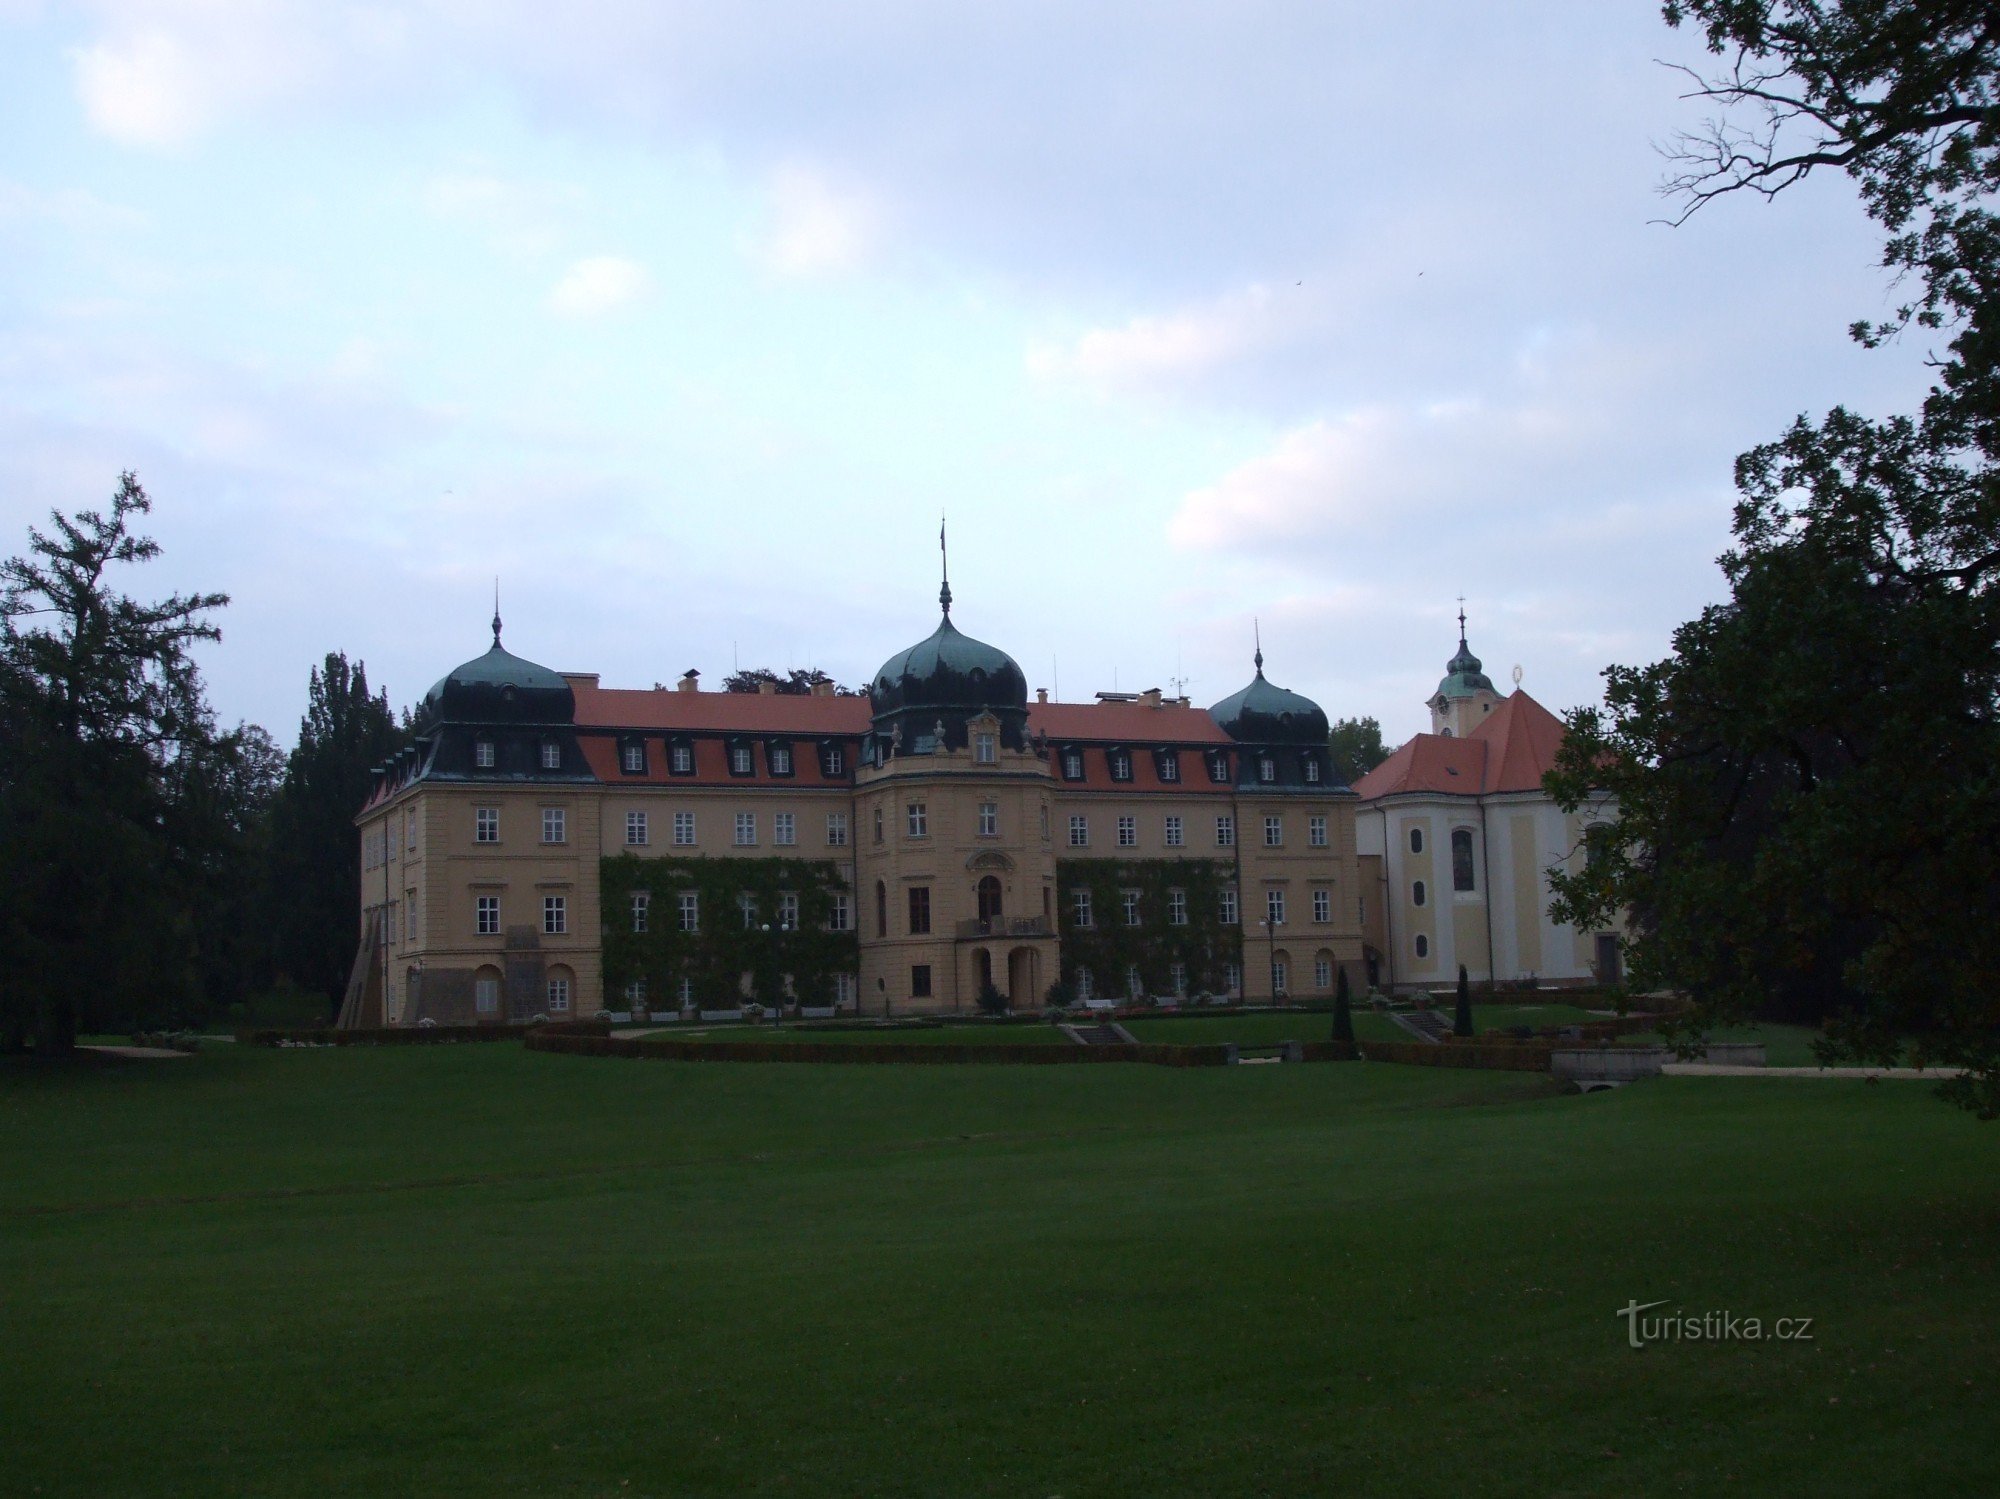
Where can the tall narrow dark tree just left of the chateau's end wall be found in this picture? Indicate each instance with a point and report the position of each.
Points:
(313, 866)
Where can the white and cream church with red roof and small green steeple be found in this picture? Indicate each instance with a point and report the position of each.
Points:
(1457, 838)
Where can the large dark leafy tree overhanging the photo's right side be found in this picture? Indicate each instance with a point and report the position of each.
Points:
(1811, 786)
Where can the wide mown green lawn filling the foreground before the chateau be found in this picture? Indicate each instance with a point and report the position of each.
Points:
(477, 1270)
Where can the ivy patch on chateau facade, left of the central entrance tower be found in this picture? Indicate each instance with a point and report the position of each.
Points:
(725, 948)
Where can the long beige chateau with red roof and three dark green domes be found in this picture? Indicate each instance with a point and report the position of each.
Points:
(555, 846)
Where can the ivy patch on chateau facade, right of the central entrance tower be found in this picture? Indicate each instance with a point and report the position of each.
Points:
(1109, 946)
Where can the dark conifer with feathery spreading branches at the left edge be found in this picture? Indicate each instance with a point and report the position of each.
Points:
(105, 840)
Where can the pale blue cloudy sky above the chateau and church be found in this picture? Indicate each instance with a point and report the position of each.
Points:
(687, 321)
